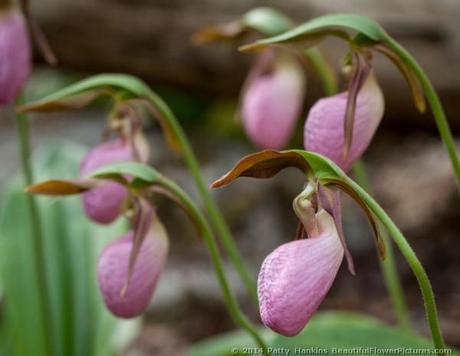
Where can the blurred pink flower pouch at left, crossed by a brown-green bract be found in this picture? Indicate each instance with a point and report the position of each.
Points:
(103, 204)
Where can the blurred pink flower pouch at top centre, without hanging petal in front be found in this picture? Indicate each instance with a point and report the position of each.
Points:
(272, 100)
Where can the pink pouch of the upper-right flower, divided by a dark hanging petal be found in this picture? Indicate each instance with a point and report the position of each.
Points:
(324, 129)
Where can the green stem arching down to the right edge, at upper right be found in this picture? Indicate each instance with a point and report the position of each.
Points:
(435, 104)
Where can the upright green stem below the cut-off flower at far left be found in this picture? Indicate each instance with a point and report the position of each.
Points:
(22, 126)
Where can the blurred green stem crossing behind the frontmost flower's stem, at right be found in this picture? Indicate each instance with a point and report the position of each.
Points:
(388, 266)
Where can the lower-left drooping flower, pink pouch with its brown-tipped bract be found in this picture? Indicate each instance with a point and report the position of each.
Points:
(130, 266)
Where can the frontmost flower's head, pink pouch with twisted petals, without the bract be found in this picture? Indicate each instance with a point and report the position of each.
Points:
(296, 276)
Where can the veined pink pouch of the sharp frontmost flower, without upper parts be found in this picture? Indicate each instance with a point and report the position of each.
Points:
(295, 278)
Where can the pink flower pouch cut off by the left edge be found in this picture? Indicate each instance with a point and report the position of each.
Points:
(15, 55)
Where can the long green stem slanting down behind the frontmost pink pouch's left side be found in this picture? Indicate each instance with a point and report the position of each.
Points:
(211, 207)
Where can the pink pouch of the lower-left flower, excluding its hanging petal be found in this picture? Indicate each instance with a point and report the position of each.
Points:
(128, 301)
